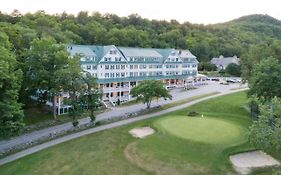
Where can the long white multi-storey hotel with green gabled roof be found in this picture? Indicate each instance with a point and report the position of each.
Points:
(118, 69)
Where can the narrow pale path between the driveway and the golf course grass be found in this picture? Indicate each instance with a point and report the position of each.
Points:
(101, 128)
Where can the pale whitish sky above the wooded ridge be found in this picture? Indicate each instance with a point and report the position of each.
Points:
(194, 11)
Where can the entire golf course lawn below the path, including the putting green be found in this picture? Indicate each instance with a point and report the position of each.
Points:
(171, 150)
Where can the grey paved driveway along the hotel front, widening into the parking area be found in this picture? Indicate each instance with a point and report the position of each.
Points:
(117, 111)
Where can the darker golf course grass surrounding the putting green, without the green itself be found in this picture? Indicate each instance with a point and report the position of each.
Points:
(116, 152)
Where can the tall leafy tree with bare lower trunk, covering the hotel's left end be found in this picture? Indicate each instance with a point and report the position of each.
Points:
(45, 60)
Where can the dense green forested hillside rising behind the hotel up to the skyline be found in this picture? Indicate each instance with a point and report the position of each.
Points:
(205, 41)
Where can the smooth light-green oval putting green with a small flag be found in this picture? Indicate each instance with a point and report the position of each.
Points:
(205, 130)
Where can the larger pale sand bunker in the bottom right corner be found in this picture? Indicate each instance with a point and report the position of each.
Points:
(245, 162)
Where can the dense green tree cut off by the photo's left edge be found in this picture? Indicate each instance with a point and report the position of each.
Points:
(11, 115)
